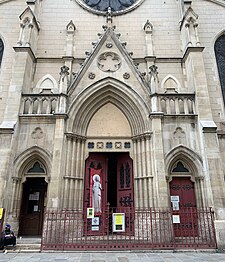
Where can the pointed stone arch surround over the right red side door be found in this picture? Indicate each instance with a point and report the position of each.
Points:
(184, 164)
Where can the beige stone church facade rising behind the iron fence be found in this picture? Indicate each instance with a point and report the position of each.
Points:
(88, 86)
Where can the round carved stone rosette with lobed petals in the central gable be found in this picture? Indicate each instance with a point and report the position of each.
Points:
(109, 62)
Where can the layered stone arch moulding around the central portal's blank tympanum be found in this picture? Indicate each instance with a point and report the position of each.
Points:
(108, 90)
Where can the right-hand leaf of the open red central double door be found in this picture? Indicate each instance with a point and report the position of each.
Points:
(125, 194)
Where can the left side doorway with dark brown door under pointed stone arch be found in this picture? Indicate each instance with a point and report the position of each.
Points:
(31, 173)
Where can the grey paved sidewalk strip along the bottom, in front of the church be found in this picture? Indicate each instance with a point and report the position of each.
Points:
(114, 257)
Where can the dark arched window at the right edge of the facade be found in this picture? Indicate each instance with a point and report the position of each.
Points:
(220, 59)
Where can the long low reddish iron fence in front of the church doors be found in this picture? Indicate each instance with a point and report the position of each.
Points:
(153, 229)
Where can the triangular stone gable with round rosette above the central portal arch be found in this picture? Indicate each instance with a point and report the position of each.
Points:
(109, 59)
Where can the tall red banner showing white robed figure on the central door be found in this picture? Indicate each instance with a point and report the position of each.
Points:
(96, 189)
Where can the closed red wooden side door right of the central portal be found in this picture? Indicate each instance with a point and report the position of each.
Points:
(182, 188)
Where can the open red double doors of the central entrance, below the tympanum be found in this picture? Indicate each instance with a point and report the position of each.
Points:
(109, 187)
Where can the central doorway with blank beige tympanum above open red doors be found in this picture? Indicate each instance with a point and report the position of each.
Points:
(109, 169)
